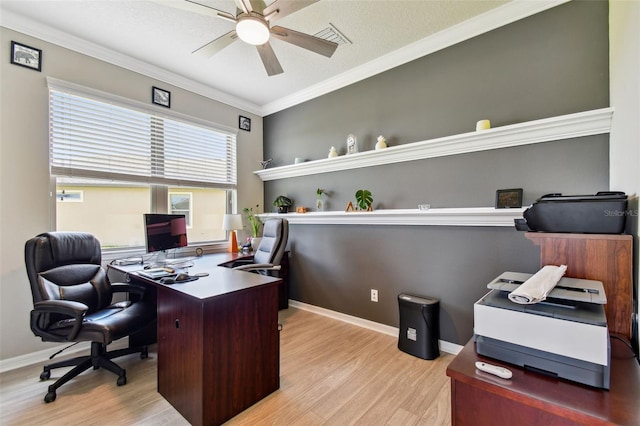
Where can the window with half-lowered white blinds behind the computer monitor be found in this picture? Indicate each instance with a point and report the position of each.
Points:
(124, 158)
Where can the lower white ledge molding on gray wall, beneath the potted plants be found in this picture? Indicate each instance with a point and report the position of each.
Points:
(473, 216)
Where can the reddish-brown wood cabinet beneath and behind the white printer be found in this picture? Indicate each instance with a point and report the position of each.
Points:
(530, 398)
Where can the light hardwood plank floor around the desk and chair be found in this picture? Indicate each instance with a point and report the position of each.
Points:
(331, 373)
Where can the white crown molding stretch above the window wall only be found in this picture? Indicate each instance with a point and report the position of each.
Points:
(29, 27)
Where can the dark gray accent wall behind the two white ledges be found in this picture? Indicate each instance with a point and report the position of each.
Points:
(550, 64)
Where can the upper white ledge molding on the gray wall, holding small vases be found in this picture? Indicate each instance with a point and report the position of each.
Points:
(580, 124)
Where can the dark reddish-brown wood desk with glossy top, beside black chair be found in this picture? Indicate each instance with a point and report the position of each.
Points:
(218, 340)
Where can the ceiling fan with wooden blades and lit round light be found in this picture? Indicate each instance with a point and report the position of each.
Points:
(253, 26)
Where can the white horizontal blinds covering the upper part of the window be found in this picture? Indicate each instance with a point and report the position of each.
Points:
(95, 136)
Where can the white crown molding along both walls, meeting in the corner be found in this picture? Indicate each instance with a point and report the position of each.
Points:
(495, 18)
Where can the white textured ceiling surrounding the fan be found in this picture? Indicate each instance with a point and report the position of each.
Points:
(154, 35)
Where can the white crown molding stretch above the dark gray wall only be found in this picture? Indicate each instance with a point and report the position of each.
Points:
(495, 18)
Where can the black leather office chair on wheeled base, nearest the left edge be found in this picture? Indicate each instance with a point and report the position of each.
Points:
(72, 299)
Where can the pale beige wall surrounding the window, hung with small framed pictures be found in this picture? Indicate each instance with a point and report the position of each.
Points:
(26, 205)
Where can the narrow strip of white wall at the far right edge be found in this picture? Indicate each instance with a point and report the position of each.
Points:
(624, 58)
